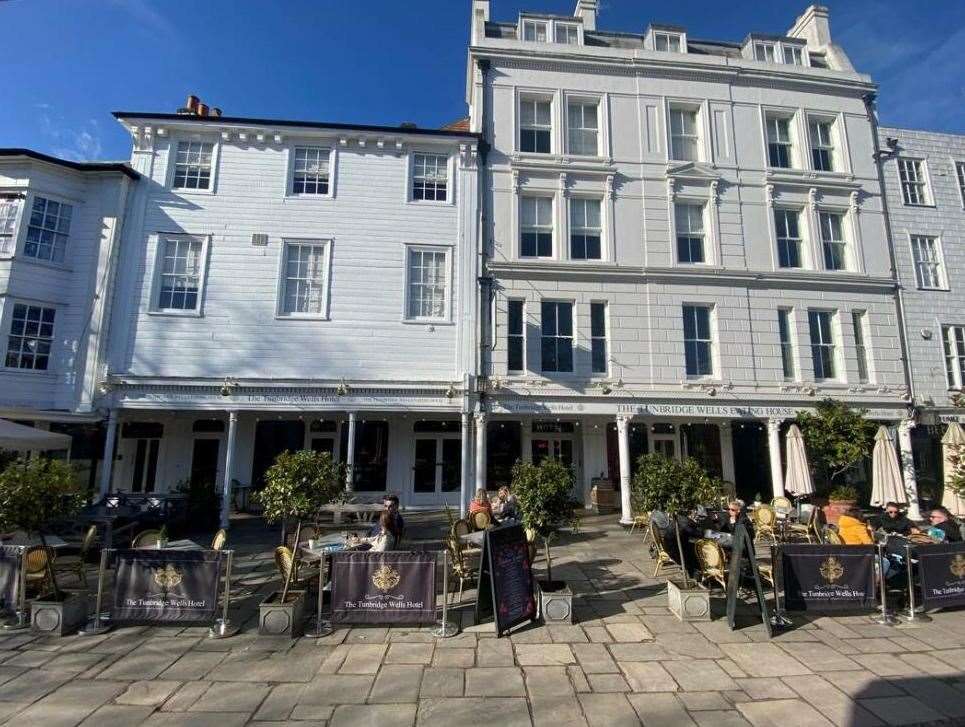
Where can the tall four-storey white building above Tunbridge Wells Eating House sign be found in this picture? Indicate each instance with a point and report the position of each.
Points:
(685, 245)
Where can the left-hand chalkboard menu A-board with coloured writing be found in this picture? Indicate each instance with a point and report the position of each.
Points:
(505, 579)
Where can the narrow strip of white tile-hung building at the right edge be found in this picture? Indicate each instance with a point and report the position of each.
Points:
(924, 175)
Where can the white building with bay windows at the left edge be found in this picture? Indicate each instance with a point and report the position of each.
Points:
(60, 230)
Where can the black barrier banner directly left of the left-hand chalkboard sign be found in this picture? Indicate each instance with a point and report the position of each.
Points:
(378, 588)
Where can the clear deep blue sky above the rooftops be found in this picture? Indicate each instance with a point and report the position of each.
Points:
(69, 63)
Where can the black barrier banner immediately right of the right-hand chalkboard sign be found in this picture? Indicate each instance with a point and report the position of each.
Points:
(828, 577)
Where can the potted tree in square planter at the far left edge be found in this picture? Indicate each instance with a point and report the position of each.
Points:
(34, 494)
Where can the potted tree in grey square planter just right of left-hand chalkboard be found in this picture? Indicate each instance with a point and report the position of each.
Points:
(543, 497)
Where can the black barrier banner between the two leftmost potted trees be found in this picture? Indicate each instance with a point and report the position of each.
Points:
(157, 586)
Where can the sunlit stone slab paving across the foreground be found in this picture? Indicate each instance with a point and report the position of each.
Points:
(628, 661)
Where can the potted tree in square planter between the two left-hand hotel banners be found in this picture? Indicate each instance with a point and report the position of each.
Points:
(296, 487)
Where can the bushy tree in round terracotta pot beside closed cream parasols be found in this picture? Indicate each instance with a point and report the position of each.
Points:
(837, 438)
